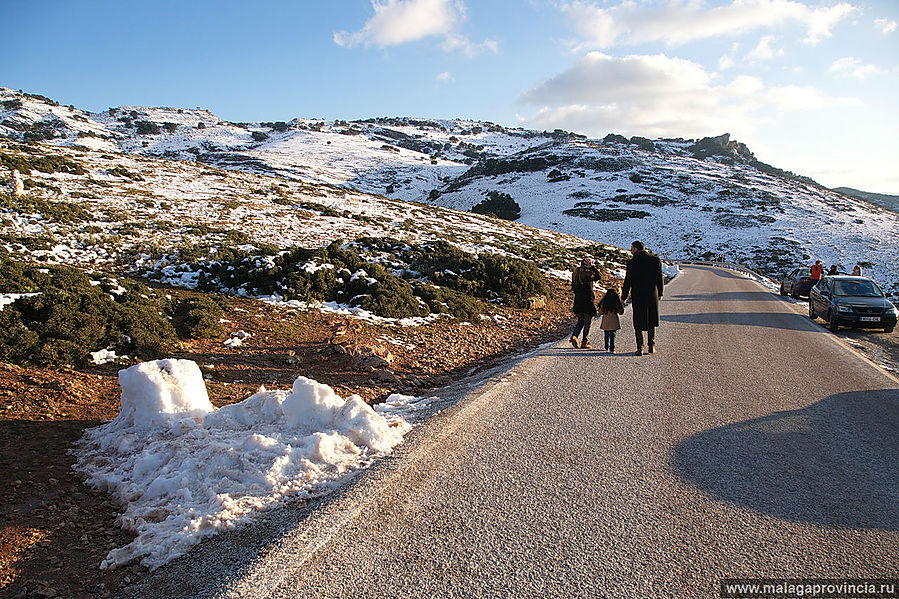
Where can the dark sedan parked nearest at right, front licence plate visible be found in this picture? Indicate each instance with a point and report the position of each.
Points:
(851, 301)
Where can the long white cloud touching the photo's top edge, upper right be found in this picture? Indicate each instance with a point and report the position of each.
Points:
(681, 21)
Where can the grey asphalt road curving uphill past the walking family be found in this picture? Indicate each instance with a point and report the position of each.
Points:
(751, 444)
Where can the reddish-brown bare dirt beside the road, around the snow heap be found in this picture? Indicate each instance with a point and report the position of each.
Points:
(55, 531)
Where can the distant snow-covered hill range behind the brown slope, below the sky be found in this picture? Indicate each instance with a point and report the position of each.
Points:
(684, 199)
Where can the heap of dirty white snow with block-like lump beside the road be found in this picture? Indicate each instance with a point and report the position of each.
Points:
(185, 471)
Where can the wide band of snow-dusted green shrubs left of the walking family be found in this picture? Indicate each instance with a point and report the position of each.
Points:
(427, 278)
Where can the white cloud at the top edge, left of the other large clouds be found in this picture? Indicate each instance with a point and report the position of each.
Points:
(398, 22)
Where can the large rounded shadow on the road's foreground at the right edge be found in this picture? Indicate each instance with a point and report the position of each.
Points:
(834, 464)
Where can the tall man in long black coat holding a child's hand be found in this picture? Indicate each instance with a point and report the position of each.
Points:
(643, 281)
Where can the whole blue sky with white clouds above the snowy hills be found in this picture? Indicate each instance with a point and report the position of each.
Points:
(808, 85)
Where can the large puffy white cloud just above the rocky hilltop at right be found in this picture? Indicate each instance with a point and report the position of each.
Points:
(662, 96)
